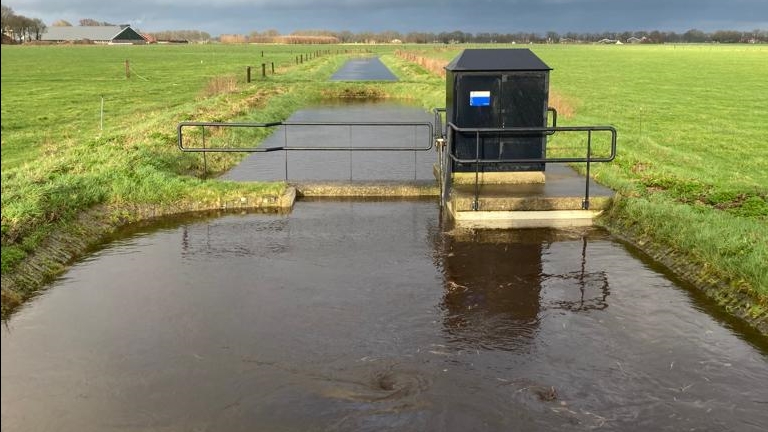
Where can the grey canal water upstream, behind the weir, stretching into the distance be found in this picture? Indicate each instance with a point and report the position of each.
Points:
(410, 156)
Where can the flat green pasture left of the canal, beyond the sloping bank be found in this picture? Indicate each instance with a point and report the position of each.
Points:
(52, 93)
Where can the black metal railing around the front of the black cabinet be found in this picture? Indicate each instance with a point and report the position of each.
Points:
(452, 130)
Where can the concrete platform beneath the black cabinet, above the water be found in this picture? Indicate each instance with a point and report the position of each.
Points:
(558, 202)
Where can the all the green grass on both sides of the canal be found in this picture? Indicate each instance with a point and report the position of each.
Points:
(692, 168)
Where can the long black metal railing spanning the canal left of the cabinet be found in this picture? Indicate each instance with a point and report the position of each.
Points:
(286, 147)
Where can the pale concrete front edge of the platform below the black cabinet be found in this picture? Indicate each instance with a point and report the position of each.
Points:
(523, 219)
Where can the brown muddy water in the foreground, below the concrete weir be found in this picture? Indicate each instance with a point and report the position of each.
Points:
(356, 316)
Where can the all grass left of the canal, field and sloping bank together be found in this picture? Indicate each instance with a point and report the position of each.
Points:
(72, 172)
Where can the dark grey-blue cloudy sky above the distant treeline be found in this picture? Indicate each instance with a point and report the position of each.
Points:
(218, 17)
